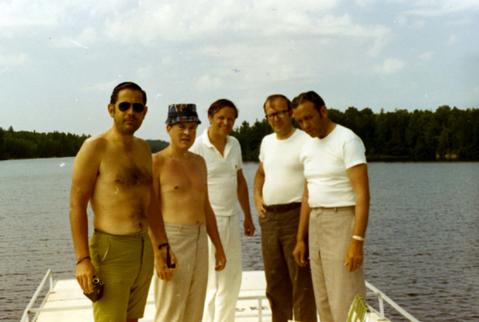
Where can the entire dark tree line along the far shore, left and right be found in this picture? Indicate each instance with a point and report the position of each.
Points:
(445, 134)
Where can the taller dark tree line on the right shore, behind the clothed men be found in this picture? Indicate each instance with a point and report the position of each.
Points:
(422, 135)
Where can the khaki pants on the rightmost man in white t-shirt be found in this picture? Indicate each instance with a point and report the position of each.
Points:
(330, 231)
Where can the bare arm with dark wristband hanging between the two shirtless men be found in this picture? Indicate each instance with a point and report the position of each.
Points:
(157, 231)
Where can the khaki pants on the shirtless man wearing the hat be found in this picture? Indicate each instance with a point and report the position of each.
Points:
(182, 298)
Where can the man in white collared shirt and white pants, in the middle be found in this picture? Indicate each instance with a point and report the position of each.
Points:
(227, 189)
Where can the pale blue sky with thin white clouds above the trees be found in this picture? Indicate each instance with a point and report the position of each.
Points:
(59, 60)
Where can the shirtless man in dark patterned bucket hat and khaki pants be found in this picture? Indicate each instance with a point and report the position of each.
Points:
(180, 184)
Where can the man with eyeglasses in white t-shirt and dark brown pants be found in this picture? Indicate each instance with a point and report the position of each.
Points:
(278, 189)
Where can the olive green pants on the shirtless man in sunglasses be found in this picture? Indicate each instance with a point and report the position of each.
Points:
(125, 264)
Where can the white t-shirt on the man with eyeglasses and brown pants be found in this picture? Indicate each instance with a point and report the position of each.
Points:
(284, 180)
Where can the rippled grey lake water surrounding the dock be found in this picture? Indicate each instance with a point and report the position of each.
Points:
(422, 245)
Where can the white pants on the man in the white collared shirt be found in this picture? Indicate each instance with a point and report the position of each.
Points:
(223, 287)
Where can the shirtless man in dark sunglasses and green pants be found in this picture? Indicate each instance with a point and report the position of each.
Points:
(112, 172)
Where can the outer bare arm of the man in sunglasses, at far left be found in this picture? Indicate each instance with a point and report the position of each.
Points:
(85, 172)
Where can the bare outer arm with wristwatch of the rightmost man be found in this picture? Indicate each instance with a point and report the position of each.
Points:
(358, 175)
